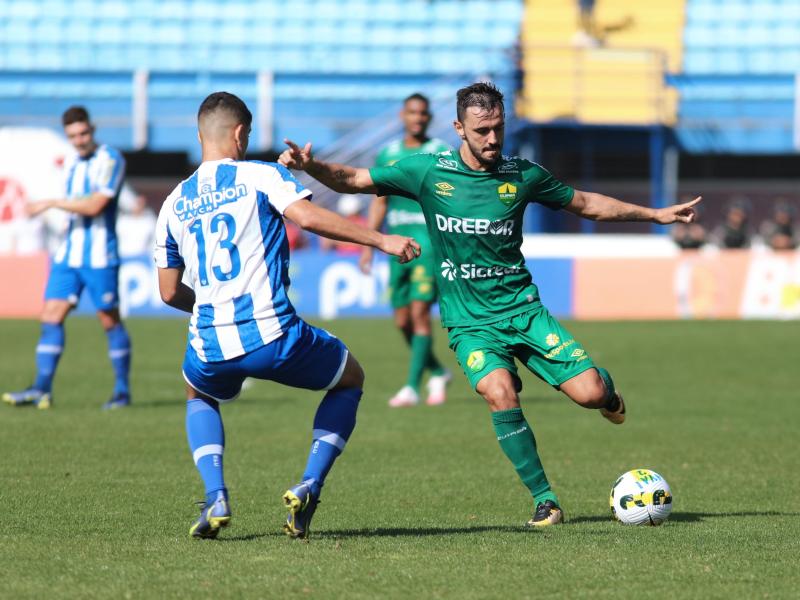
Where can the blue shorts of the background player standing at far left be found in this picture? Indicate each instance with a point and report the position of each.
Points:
(67, 283)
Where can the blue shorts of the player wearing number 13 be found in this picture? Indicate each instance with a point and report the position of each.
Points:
(303, 357)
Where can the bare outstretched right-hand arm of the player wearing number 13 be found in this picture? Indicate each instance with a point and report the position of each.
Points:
(331, 225)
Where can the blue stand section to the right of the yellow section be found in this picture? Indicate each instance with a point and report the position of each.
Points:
(738, 82)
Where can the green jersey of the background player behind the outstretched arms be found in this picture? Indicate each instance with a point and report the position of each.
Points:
(404, 216)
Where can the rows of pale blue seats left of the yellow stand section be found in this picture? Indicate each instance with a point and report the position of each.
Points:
(361, 25)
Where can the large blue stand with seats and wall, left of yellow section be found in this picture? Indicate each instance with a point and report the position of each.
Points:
(343, 58)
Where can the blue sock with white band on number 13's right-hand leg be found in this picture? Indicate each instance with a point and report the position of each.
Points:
(333, 424)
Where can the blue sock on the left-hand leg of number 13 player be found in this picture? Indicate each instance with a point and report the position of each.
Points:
(207, 443)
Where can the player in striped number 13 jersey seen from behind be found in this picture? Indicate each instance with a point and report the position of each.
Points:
(221, 231)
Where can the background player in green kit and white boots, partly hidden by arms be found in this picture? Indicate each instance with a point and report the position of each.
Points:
(412, 286)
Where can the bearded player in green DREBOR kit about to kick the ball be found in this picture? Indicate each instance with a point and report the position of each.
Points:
(473, 200)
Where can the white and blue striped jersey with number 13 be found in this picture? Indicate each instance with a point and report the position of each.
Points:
(224, 226)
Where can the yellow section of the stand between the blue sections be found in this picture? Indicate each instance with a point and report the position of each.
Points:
(614, 74)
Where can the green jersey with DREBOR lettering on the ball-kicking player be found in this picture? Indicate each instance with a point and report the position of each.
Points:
(474, 221)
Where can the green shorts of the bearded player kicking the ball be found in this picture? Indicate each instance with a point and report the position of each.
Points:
(535, 338)
